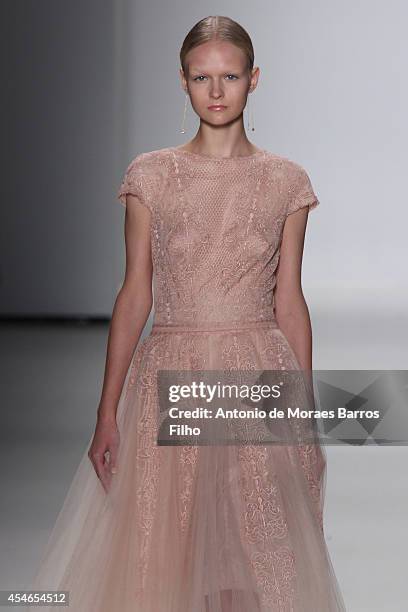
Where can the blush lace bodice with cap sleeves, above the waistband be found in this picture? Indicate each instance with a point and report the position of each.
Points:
(216, 230)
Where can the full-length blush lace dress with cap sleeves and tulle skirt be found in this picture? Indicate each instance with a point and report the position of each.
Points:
(201, 528)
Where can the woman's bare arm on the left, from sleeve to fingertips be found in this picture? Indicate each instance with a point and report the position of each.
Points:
(130, 313)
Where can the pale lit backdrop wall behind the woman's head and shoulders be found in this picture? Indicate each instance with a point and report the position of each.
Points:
(331, 96)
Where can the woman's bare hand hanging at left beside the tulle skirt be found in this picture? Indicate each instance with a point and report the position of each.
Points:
(105, 441)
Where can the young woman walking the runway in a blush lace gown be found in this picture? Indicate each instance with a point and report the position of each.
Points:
(195, 528)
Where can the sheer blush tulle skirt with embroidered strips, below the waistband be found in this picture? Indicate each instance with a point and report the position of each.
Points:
(222, 528)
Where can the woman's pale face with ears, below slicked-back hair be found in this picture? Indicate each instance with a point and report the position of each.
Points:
(218, 81)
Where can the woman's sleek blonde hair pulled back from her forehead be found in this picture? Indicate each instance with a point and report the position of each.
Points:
(217, 27)
